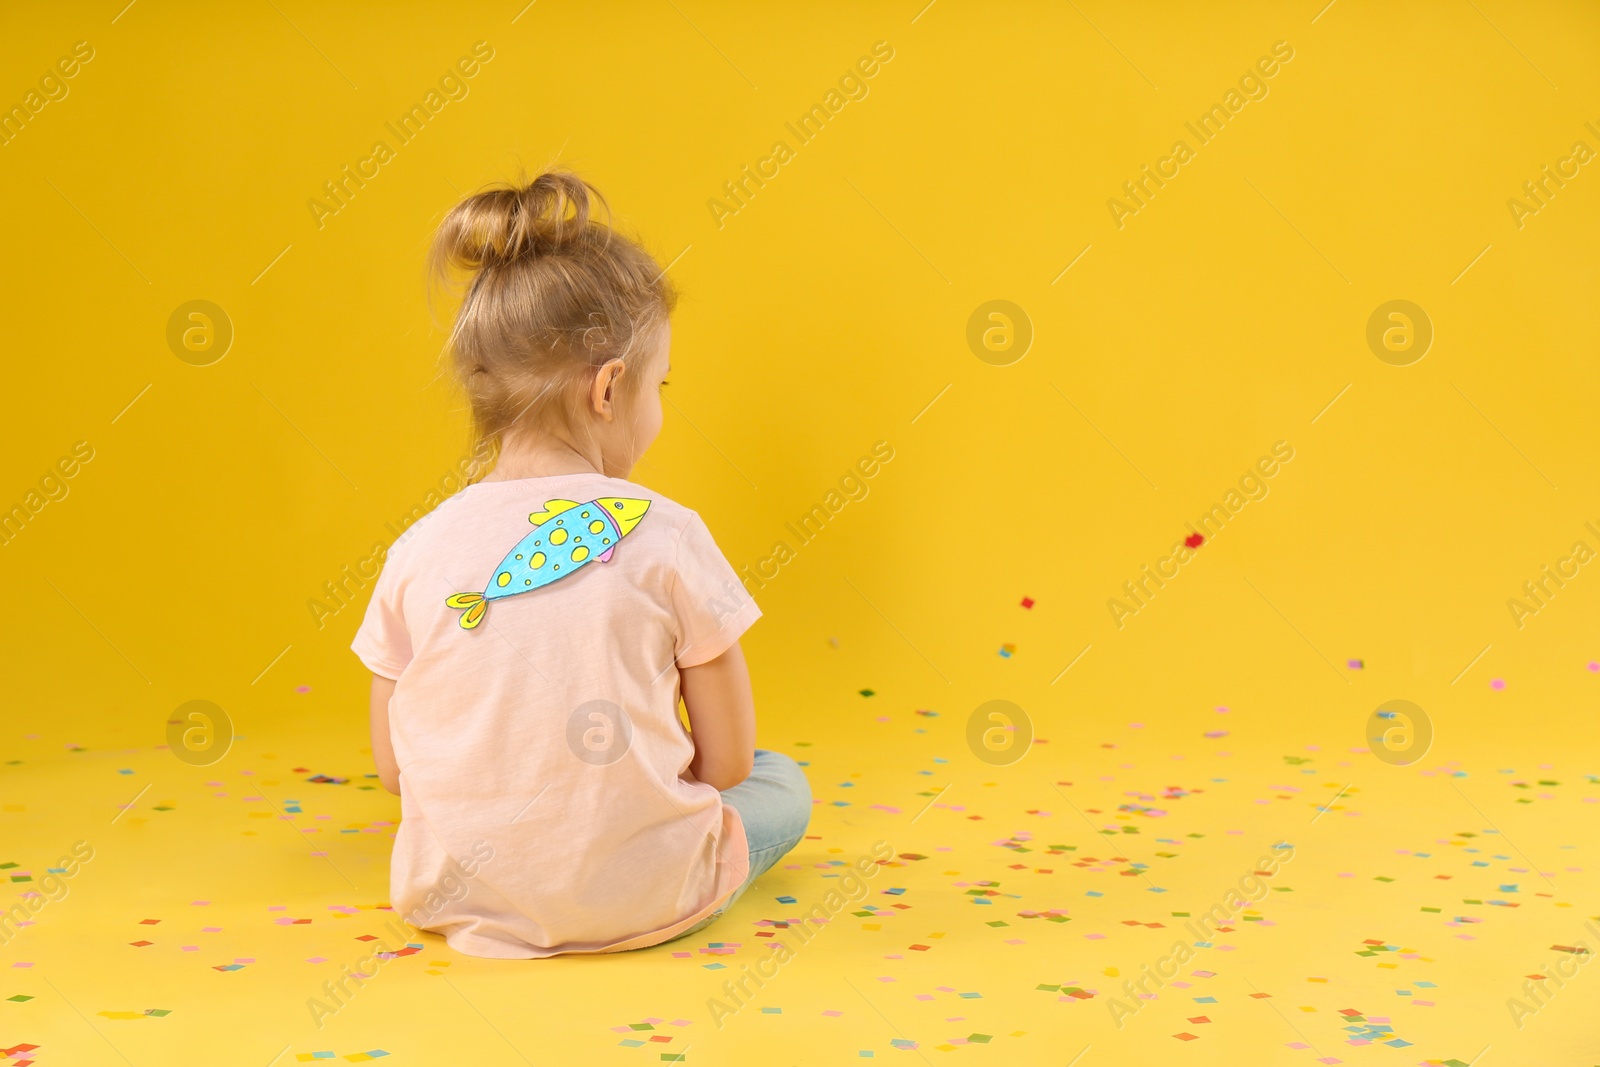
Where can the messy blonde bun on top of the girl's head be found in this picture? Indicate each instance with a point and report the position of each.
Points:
(503, 225)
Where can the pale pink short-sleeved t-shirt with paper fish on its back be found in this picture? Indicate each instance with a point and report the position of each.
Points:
(535, 631)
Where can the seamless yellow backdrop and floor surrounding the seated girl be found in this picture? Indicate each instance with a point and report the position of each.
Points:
(818, 321)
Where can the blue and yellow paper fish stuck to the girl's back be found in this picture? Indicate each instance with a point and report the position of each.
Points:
(567, 537)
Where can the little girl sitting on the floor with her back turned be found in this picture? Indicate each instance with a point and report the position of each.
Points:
(532, 637)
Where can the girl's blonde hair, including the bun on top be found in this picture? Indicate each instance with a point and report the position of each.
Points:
(551, 295)
